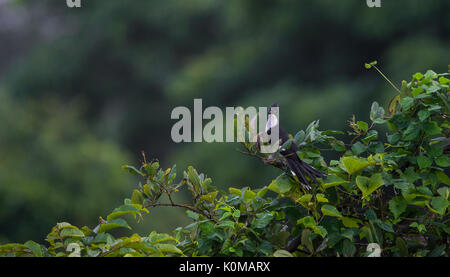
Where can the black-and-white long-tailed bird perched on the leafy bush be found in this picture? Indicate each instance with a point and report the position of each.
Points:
(297, 167)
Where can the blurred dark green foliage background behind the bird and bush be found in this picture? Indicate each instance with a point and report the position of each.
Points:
(83, 91)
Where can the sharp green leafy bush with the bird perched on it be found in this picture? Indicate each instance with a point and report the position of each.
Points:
(387, 195)
